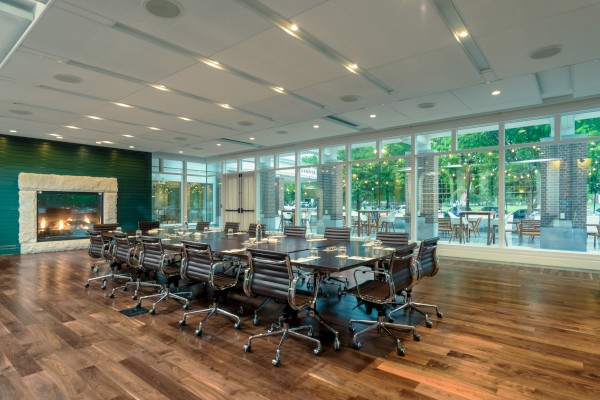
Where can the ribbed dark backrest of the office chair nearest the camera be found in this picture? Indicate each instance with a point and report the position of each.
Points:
(269, 274)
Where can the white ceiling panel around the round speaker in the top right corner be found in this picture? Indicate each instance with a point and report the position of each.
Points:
(578, 45)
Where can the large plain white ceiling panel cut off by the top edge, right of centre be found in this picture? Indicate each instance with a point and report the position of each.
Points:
(375, 35)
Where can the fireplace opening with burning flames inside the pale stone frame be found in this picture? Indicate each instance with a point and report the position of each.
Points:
(67, 215)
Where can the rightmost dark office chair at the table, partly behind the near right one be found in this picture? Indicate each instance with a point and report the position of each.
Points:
(428, 265)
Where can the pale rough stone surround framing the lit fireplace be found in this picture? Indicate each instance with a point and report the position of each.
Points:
(30, 184)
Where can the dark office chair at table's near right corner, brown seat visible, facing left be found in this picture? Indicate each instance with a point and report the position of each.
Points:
(381, 291)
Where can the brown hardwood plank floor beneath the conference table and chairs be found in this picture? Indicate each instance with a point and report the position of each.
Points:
(508, 332)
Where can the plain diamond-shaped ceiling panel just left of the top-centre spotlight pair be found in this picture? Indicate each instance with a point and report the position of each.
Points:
(281, 60)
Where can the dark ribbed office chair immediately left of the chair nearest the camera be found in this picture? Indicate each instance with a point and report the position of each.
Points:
(198, 266)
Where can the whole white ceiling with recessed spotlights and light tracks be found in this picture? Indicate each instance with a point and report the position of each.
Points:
(405, 52)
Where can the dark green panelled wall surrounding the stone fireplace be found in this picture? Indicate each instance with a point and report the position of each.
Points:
(131, 168)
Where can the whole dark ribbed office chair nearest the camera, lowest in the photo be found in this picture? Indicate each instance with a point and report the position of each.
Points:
(270, 275)
